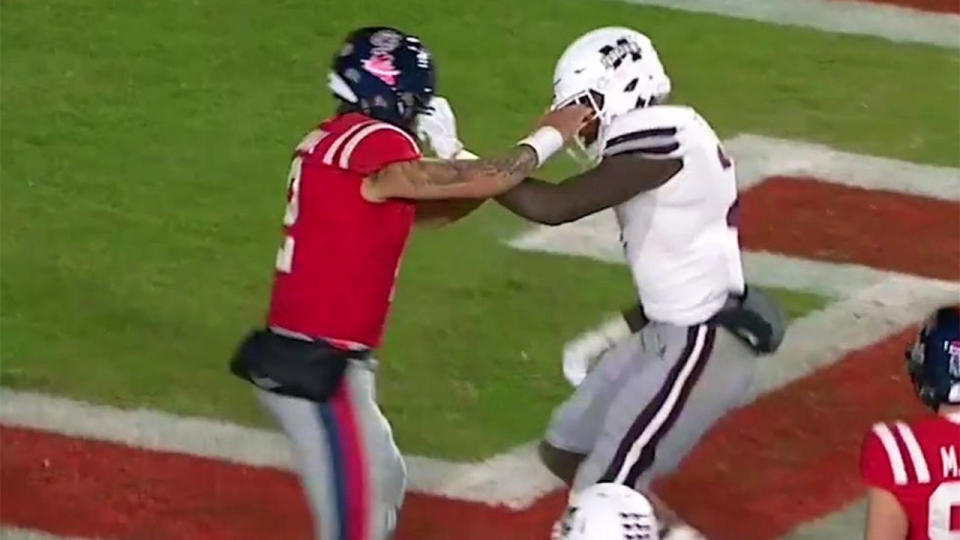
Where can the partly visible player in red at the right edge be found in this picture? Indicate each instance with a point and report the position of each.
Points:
(911, 468)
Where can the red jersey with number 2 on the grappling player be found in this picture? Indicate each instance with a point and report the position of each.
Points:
(337, 267)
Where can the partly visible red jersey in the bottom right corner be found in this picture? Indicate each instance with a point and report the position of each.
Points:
(918, 463)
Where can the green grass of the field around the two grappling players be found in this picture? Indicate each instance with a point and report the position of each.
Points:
(145, 147)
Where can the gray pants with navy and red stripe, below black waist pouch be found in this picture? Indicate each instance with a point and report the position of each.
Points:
(350, 467)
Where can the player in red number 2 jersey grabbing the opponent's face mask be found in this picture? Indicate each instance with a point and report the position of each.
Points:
(356, 186)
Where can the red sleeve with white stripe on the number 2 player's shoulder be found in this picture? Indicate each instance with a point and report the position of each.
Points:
(377, 146)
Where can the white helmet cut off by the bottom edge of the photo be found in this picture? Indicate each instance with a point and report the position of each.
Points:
(607, 512)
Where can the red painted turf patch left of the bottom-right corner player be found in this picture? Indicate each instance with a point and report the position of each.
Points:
(792, 455)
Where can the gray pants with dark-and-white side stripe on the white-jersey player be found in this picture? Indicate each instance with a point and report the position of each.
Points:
(648, 401)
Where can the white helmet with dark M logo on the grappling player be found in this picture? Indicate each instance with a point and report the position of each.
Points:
(613, 70)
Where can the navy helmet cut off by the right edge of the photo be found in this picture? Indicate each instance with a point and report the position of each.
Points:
(934, 359)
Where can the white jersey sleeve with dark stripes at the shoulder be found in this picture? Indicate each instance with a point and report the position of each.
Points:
(653, 132)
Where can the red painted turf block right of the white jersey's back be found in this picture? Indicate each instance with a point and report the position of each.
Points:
(819, 220)
